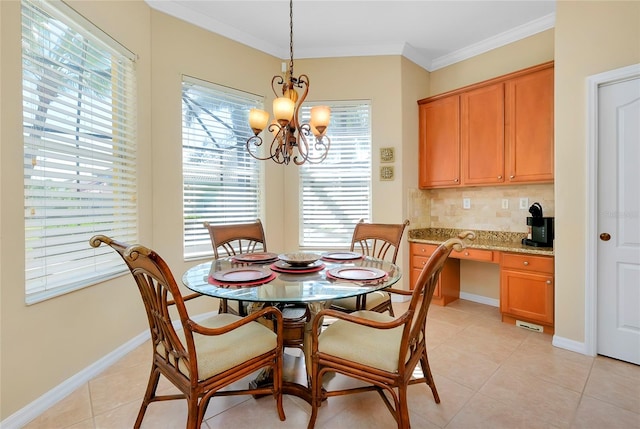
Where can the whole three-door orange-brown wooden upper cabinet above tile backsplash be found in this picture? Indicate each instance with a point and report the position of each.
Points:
(492, 133)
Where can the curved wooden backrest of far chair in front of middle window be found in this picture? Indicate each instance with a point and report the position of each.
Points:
(236, 238)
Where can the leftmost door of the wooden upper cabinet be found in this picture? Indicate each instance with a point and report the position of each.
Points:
(440, 143)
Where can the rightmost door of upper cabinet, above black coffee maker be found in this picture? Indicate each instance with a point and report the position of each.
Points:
(529, 127)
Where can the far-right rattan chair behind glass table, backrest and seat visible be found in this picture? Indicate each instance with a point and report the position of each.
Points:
(382, 241)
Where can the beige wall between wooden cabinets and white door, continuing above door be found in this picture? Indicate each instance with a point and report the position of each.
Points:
(591, 37)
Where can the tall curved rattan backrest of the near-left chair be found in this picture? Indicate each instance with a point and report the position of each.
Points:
(159, 291)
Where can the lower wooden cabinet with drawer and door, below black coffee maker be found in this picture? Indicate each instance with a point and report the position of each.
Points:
(526, 289)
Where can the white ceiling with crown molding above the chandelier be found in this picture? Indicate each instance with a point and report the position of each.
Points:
(431, 33)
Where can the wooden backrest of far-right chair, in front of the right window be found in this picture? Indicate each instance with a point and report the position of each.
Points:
(380, 240)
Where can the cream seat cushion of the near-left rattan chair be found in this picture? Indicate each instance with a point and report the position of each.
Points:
(220, 352)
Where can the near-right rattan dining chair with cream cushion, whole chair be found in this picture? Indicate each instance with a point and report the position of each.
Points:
(378, 349)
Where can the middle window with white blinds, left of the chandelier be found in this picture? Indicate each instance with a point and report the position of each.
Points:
(221, 181)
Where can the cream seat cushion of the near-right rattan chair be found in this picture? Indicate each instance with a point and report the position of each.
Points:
(378, 348)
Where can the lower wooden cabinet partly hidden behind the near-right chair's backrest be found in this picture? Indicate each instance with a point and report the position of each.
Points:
(448, 287)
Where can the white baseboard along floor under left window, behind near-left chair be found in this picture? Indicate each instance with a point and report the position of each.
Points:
(28, 413)
